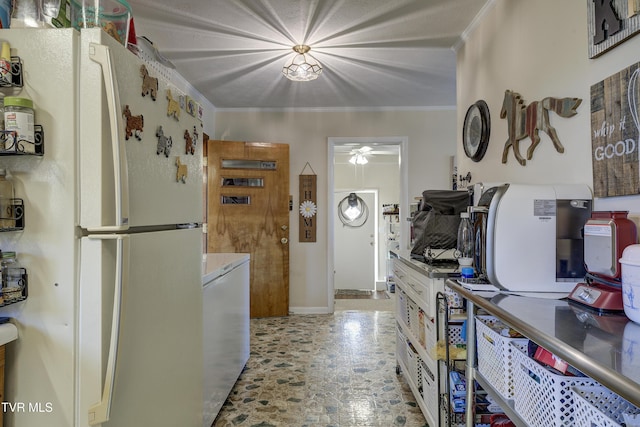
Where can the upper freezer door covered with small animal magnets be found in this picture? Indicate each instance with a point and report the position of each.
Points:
(155, 195)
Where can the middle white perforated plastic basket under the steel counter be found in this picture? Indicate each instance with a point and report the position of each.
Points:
(543, 398)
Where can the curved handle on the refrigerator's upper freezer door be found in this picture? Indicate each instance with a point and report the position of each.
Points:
(102, 55)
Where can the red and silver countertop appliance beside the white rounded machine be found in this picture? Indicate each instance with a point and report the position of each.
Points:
(606, 234)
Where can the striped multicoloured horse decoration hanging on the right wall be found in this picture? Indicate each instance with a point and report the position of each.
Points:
(527, 120)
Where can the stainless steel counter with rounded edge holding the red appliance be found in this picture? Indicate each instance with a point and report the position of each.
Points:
(605, 348)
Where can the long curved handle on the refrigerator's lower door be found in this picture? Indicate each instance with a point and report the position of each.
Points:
(100, 412)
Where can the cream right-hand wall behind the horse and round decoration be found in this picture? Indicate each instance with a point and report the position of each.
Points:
(538, 49)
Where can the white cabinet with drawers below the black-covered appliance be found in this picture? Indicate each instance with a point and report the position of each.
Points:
(417, 286)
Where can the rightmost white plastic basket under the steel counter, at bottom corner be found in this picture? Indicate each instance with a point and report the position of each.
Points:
(600, 407)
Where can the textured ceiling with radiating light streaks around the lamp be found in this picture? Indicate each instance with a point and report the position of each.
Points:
(375, 53)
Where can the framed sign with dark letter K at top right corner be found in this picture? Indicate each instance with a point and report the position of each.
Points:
(610, 23)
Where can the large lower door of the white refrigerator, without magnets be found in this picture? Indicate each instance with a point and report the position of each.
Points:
(158, 370)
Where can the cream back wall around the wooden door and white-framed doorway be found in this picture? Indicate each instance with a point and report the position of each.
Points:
(431, 136)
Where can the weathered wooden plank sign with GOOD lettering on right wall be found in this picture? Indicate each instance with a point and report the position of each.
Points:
(615, 129)
